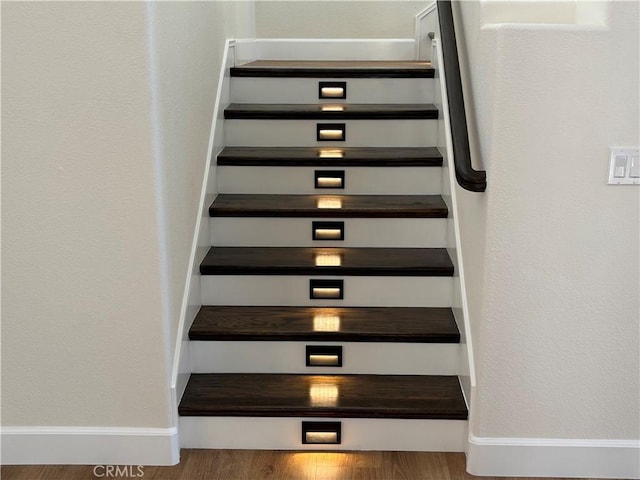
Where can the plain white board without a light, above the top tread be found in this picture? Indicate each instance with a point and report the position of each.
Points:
(325, 49)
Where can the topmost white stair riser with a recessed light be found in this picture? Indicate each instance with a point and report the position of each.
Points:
(305, 90)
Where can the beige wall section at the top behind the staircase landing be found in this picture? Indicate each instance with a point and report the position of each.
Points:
(337, 19)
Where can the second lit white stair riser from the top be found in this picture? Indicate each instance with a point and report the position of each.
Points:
(303, 133)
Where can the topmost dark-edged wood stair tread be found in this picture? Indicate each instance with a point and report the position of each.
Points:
(334, 69)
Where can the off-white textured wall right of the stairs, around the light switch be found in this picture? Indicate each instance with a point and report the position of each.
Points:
(551, 250)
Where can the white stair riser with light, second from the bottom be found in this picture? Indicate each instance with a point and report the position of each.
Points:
(357, 358)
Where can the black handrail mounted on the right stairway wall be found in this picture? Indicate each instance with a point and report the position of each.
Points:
(468, 178)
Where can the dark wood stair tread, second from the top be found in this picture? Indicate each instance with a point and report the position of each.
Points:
(313, 111)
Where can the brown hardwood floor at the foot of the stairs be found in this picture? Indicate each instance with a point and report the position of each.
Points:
(275, 465)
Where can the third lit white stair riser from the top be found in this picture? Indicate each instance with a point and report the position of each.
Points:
(358, 180)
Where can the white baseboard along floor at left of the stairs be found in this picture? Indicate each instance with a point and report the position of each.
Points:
(89, 446)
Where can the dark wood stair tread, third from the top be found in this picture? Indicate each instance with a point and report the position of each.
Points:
(342, 156)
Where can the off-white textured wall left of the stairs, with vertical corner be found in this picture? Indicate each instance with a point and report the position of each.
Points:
(106, 112)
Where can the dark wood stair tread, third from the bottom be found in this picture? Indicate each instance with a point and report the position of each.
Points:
(302, 261)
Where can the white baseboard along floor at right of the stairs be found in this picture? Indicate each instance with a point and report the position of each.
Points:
(539, 457)
